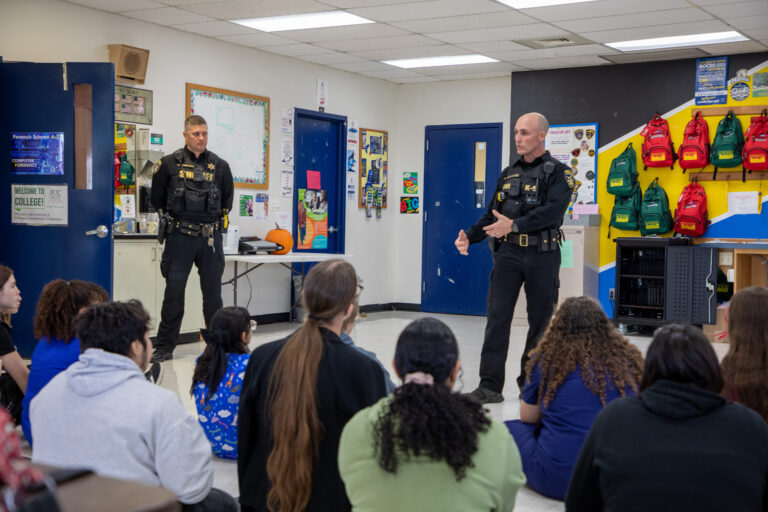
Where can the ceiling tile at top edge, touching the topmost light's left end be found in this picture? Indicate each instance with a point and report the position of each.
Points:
(428, 9)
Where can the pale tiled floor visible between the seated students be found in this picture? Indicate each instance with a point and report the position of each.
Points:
(378, 332)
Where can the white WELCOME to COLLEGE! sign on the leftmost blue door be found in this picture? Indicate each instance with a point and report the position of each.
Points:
(39, 205)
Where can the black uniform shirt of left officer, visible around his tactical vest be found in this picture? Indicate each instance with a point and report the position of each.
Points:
(168, 166)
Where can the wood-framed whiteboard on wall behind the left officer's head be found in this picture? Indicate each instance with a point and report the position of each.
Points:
(238, 130)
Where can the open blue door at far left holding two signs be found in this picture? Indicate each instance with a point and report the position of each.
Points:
(40, 98)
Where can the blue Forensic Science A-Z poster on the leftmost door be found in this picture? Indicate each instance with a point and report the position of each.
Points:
(40, 153)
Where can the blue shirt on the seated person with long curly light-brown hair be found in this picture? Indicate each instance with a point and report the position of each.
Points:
(567, 418)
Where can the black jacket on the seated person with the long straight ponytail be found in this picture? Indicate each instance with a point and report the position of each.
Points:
(347, 381)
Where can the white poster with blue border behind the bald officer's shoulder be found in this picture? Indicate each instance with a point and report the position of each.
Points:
(576, 146)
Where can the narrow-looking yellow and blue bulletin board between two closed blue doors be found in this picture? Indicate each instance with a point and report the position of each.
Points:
(374, 156)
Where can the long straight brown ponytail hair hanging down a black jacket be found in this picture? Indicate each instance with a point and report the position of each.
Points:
(329, 289)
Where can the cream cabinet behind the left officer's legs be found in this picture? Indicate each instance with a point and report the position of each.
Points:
(137, 276)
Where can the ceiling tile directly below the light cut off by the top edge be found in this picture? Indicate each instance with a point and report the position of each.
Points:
(601, 8)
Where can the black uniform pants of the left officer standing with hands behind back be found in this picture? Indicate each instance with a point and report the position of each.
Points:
(181, 251)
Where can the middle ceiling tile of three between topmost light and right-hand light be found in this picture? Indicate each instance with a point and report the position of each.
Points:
(635, 20)
